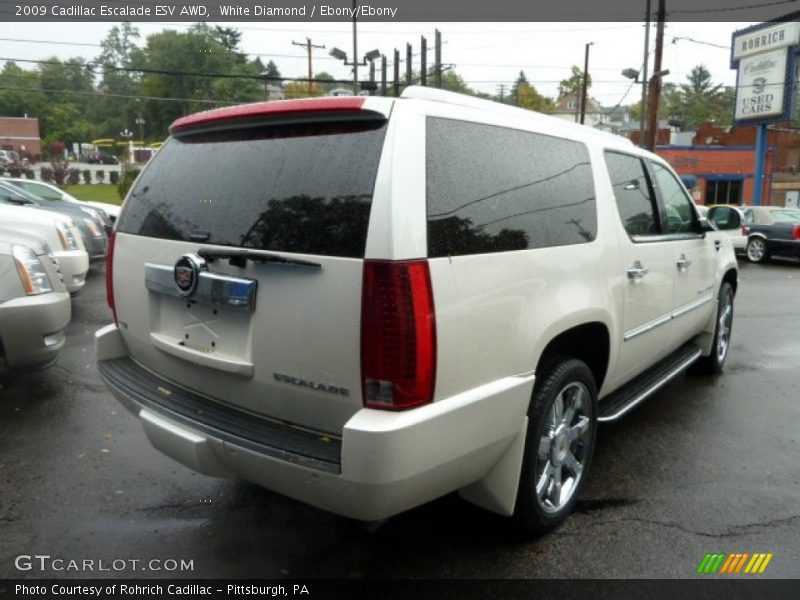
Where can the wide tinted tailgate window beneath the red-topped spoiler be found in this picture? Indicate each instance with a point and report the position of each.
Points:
(304, 188)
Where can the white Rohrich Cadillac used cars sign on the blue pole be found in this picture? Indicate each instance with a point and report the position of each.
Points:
(765, 56)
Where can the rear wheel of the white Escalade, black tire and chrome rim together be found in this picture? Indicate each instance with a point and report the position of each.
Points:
(566, 380)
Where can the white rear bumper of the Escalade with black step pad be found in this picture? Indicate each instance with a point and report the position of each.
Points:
(382, 464)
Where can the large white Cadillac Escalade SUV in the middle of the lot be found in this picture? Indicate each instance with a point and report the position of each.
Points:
(382, 301)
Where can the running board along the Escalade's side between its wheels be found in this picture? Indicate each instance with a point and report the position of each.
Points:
(612, 407)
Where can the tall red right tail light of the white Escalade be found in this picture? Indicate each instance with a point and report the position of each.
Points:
(398, 335)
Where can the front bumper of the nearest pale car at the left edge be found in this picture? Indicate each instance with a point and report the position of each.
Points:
(32, 329)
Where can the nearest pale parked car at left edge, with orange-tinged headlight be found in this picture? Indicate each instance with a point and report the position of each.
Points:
(34, 304)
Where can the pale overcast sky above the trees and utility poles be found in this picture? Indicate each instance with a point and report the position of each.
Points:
(484, 54)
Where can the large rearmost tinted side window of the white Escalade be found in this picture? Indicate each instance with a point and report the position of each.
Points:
(494, 189)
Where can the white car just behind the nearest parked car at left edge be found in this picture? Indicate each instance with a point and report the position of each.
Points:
(60, 234)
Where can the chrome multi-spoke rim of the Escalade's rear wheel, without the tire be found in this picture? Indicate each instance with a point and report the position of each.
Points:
(564, 447)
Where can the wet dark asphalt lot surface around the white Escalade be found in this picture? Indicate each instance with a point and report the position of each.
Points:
(706, 465)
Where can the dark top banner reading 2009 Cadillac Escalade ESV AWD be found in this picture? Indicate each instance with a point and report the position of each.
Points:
(387, 10)
